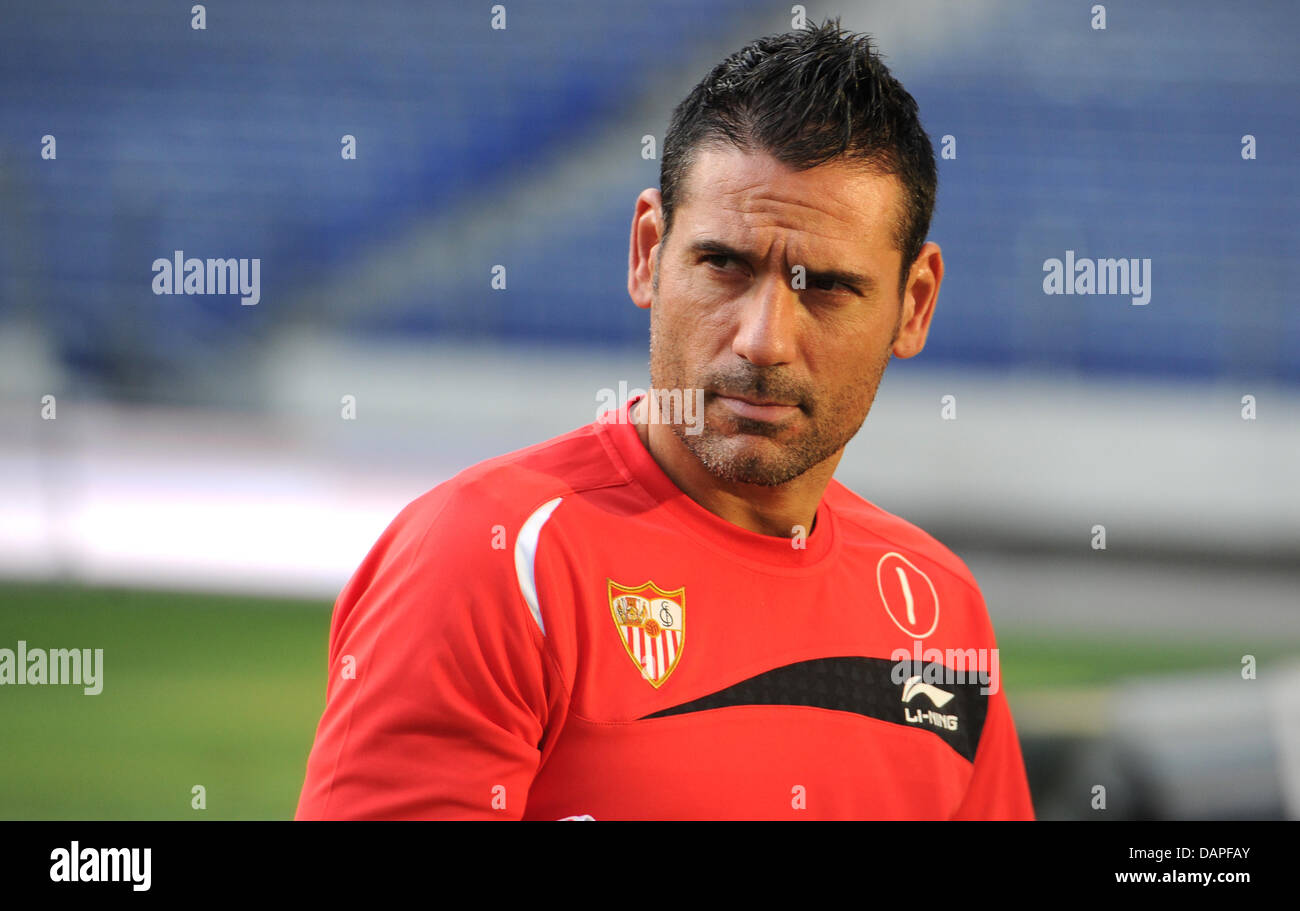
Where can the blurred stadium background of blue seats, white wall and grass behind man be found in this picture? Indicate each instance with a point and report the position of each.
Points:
(198, 502)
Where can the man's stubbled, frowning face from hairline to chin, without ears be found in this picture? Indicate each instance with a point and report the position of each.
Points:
(727, 315)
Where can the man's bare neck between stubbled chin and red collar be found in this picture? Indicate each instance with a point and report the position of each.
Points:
(782, 511)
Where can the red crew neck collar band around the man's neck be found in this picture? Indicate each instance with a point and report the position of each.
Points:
(736, 543)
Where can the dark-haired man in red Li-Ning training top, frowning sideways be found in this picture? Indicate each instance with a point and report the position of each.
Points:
(681, 615)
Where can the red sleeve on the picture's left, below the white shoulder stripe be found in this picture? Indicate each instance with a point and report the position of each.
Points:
(439, 682)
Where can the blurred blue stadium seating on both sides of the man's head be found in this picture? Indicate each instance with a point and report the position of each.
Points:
(226, 144)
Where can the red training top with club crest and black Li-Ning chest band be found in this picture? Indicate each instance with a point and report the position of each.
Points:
(562, 632)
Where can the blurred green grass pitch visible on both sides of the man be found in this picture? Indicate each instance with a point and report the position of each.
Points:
(226, 692)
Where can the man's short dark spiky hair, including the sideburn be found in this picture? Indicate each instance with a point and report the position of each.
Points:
(807, 98)
